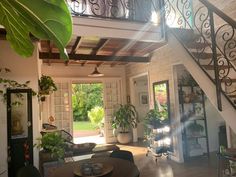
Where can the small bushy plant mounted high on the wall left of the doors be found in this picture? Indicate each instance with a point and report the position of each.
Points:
(46, 86)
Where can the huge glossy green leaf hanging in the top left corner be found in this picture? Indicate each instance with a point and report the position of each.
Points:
(45, 19)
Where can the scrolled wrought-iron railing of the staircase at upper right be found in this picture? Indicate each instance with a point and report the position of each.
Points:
(209, 36)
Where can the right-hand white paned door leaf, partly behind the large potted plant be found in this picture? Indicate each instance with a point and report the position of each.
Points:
(112, 97)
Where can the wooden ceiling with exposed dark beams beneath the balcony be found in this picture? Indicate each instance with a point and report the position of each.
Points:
(93, 50)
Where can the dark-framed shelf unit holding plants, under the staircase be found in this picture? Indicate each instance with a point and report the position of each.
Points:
(193, 114)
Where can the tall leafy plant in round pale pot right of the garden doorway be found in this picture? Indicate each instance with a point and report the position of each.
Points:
(125, 117)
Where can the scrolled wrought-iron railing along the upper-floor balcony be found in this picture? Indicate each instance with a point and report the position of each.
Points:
(137, 10)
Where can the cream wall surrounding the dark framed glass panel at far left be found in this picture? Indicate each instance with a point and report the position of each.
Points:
(22, 69)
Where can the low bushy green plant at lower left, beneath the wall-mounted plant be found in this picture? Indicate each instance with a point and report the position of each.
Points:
(53, 144)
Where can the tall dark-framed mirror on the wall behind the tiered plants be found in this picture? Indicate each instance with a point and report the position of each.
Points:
(161, 98)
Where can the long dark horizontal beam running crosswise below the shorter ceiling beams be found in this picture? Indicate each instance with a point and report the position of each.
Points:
(45, 55)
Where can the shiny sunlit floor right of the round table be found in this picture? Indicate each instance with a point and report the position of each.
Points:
(198, 167)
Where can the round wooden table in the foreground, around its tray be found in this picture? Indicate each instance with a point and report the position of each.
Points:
(122, 168)
